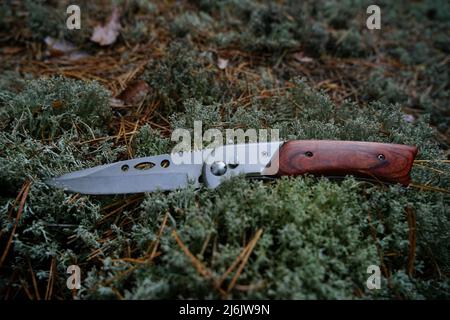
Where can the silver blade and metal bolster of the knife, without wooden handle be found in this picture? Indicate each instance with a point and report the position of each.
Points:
(168, 172)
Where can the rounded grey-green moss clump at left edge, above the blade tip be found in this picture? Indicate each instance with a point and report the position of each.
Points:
(47, 108)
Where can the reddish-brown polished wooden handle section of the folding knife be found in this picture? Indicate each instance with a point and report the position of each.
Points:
(381, 161)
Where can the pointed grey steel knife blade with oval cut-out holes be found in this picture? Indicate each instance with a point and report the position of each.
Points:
(133, 176)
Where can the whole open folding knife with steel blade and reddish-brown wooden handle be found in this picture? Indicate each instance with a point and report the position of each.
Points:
(383, 162)
